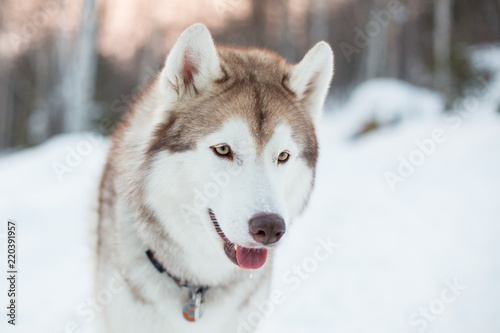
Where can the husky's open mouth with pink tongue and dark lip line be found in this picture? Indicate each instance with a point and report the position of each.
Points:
(250, 258)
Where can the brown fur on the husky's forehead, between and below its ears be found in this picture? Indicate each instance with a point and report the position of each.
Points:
(254, 87)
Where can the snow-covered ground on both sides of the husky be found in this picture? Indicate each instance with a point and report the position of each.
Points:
(411, 213)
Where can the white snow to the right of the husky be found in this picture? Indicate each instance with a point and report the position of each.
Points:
(397, 249)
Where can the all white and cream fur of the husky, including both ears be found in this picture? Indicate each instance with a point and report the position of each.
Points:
(180, 187)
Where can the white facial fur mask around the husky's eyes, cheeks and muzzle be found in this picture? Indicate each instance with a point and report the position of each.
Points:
(236, 191)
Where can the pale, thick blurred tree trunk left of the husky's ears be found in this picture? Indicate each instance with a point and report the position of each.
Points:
(79, 82)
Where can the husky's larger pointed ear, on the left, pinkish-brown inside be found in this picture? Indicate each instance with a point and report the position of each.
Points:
(192, 65)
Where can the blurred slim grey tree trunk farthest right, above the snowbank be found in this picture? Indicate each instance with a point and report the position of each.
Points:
(442, 39)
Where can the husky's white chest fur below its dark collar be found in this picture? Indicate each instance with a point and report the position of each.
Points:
(162, 310)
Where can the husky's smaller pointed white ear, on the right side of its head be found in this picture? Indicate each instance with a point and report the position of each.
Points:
(311, 78)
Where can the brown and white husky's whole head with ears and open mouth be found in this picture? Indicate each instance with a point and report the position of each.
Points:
(236, 149)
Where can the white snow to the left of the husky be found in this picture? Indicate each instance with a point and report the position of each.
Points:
(54, 224)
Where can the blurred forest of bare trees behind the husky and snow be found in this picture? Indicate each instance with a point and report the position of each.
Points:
(75, 65)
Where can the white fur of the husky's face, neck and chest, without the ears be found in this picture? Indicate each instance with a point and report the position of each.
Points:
(256, 180)
